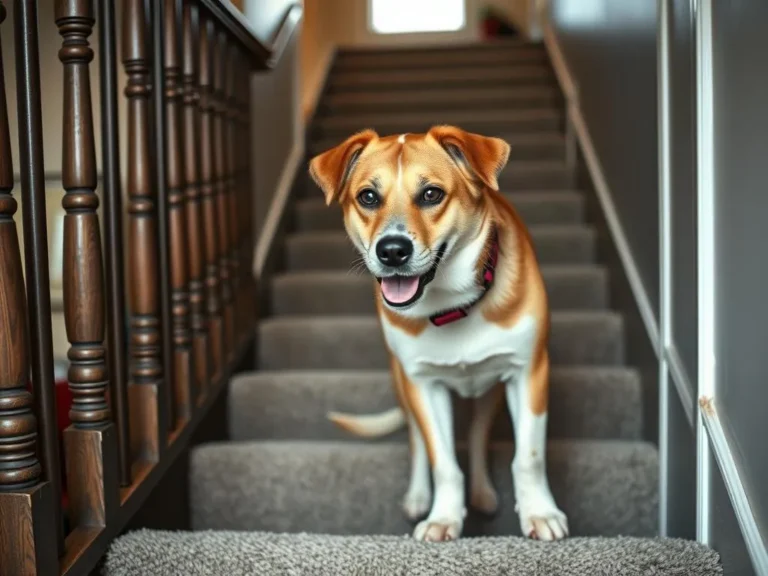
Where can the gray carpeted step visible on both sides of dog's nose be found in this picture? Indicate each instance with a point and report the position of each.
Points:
(334, 251)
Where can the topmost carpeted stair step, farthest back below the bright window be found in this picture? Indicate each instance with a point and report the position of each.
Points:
(456, 57)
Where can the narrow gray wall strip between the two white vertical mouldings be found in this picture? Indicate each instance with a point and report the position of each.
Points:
(681, 459)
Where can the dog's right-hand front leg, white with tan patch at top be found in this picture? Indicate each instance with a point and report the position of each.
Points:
(527, 398)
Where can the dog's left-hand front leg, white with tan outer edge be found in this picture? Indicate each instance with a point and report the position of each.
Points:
(432, 408)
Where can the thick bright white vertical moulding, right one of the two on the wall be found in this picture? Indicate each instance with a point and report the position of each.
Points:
(706, 261)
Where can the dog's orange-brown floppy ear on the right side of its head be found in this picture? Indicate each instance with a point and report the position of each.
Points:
(482, 156)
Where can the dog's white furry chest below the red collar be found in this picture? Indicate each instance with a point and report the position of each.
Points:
(469, 356)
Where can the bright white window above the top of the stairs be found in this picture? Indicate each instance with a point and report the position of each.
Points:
(407, 16)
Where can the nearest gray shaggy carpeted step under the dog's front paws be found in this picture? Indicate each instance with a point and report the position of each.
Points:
(222, 553)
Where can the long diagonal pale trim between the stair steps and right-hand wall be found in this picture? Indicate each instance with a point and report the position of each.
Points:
(602, 190)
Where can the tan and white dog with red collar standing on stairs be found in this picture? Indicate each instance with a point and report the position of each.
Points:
(462, 307)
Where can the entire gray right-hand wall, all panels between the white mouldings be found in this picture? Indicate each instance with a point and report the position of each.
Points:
(611, 47)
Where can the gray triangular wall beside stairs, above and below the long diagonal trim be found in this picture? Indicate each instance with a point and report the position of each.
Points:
(610, 49)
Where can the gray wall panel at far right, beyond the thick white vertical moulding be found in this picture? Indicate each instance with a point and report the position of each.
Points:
(741, 150)
